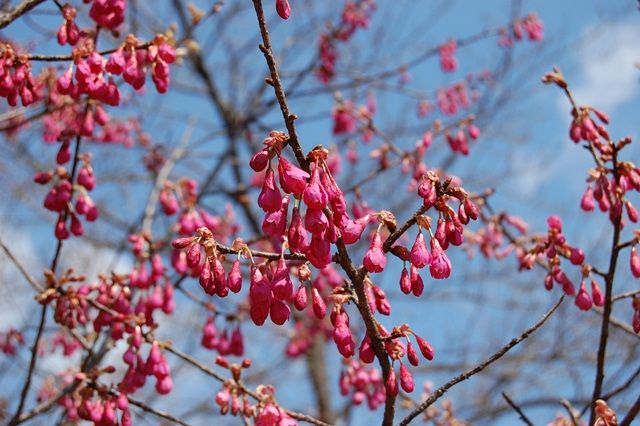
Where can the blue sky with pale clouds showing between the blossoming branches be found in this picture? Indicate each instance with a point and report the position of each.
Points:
(593, 42)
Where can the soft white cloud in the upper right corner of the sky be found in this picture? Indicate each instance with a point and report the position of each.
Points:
(609, 76)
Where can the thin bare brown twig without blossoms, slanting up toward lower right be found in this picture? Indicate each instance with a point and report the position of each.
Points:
(464, 376)
